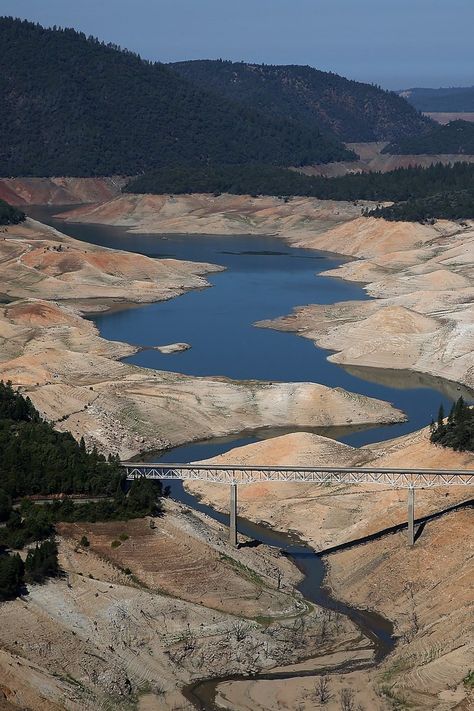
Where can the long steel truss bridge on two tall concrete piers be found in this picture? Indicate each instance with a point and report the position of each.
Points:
(234, 475)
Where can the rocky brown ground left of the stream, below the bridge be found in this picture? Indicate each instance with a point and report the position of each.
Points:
(133, 622)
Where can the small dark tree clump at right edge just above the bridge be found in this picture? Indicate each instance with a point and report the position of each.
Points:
(457, 431)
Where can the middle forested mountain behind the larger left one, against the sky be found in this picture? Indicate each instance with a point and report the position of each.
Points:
(351, 110)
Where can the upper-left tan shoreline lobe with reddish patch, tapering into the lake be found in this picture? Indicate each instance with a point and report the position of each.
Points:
(37, 261)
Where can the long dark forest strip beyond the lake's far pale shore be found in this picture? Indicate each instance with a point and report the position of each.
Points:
(450, 186)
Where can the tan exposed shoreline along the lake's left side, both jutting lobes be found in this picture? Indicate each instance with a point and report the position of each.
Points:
(78, 380)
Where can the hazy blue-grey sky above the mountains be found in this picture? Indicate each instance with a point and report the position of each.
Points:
(395, 43)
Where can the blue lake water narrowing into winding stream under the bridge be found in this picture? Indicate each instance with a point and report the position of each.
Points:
(264, 279)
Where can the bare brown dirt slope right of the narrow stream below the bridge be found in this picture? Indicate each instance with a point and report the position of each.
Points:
(428, 592)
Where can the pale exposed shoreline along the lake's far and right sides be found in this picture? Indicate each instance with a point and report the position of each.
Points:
(420, 276)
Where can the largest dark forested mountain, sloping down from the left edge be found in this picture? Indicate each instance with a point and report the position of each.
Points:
(70, 105)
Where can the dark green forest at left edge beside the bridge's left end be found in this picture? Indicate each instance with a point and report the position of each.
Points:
(37, 460)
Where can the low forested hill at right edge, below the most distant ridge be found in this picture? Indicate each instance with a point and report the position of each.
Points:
(456, 137)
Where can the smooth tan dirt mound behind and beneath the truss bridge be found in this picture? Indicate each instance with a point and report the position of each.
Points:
(330, 515)
